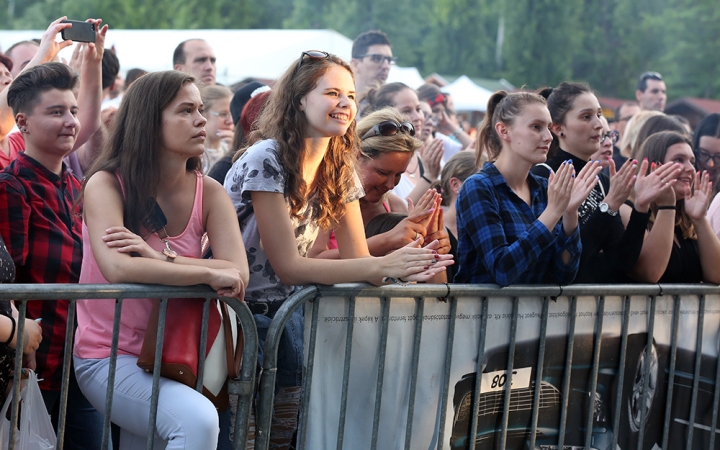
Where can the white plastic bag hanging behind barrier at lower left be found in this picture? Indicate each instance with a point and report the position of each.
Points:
(36, 431)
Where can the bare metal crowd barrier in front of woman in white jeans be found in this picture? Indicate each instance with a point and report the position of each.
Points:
(242, 387)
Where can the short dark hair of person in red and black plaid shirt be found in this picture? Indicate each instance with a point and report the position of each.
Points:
(24, 93)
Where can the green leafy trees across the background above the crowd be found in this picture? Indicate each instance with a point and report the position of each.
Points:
(606, 43)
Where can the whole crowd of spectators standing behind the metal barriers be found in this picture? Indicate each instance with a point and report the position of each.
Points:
(169, 178)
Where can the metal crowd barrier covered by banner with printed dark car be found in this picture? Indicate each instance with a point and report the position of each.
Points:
(605, 367)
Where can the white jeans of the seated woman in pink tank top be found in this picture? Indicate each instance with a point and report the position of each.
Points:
(185, 418)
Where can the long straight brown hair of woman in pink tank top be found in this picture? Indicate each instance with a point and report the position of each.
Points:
(132, 150)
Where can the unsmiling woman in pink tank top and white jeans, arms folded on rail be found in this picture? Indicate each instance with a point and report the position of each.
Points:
(152, 160)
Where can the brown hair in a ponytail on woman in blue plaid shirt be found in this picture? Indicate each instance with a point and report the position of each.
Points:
(502, 107)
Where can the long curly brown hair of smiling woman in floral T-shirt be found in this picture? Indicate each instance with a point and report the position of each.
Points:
(282, 120)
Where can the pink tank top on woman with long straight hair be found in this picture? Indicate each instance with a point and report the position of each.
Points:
(95, 317)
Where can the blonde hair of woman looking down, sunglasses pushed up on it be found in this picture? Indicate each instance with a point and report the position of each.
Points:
(372, 146)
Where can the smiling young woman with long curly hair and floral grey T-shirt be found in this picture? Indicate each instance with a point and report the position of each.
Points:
(296, 178)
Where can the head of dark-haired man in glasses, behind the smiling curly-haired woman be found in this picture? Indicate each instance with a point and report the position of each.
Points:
(371, 60)
